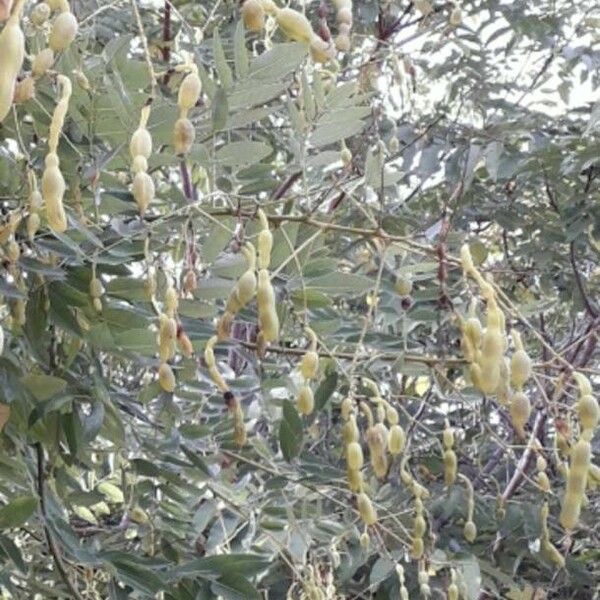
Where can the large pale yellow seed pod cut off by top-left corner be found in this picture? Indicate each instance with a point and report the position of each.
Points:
(12, 54)
